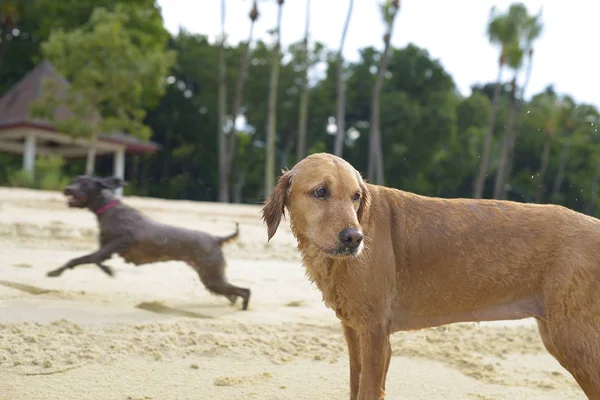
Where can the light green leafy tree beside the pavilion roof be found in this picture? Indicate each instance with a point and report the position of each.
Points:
(108, 73)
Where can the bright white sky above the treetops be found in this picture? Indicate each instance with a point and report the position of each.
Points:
(567, 54)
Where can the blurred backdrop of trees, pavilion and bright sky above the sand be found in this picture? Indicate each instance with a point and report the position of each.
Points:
(208, 100)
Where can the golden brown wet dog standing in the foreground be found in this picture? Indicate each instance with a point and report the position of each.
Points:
(387, 260)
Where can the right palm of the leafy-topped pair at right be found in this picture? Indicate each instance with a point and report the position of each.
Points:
(530, 30)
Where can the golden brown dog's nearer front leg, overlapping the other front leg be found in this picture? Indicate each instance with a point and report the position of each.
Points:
(374, 356)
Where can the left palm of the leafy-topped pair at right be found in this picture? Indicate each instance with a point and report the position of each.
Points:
(501, 31)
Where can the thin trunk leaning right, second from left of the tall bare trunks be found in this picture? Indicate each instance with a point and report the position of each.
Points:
(239, 94)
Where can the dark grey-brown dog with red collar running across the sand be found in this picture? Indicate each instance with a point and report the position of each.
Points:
(141, 240)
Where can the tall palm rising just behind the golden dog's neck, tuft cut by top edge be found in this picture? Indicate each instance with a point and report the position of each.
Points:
(389, 9)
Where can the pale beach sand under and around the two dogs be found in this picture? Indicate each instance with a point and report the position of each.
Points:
(153, 332)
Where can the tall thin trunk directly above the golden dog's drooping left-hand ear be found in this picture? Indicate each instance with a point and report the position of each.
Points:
(272, 110)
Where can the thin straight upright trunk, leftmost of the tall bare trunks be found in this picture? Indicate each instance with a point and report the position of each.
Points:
(223, 181)
